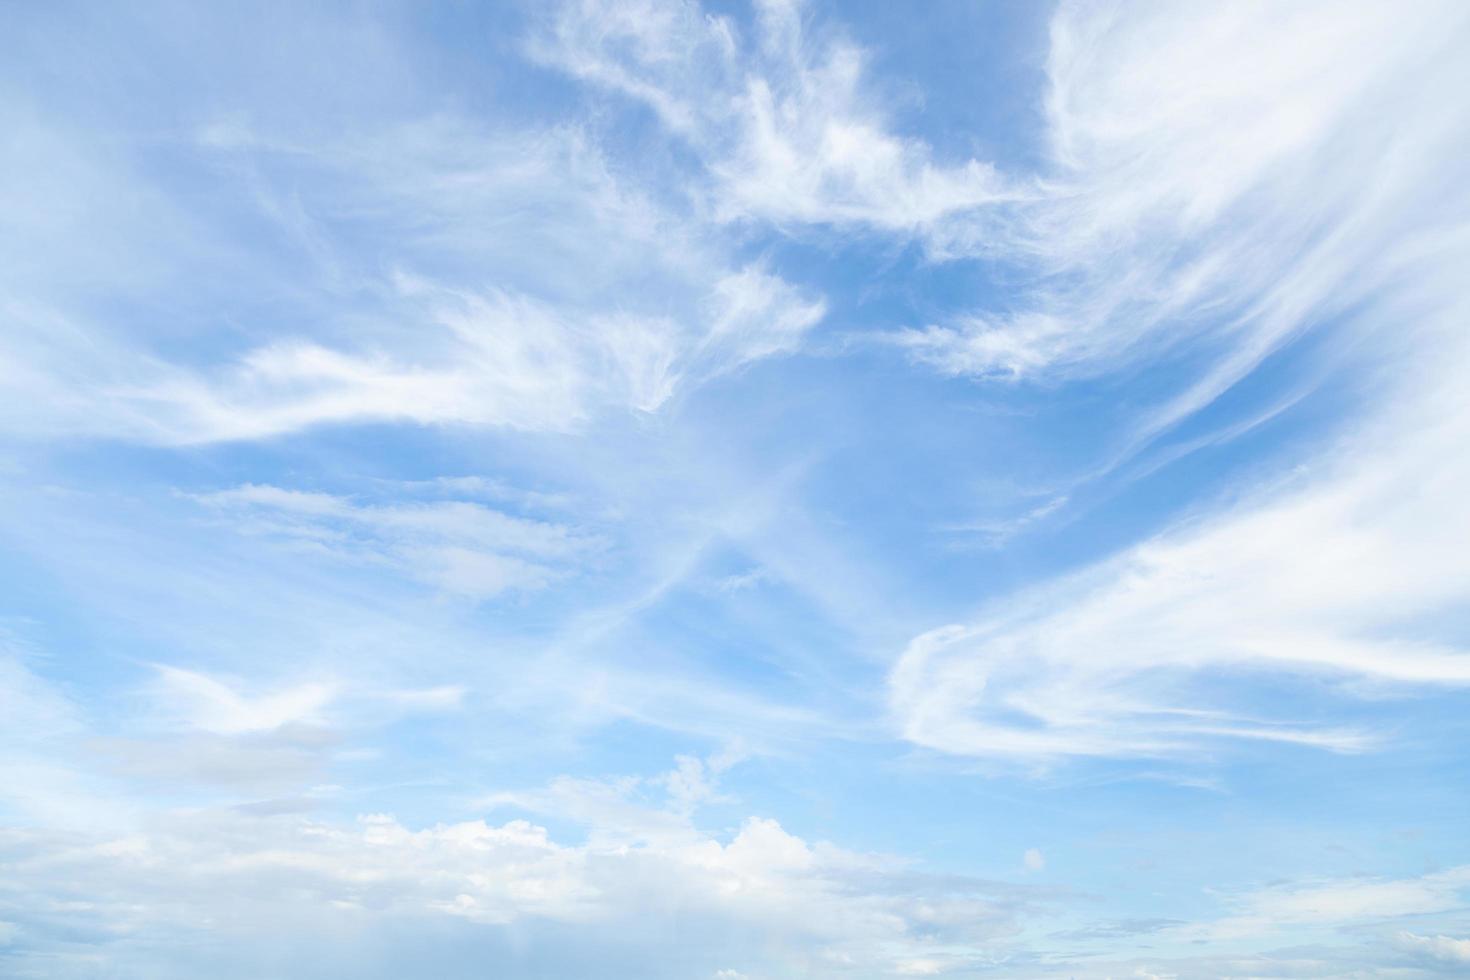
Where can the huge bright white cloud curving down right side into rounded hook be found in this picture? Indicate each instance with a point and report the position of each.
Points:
(1324, 575)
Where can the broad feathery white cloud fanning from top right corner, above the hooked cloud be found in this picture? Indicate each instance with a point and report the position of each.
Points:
(1194, 202)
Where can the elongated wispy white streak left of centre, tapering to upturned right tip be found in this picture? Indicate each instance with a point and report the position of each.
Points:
(495, 361)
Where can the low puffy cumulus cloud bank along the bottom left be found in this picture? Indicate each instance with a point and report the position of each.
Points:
(186, 871)
